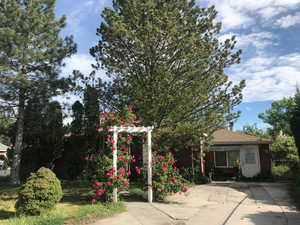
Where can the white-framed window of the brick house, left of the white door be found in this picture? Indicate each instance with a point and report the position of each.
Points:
(227, 158)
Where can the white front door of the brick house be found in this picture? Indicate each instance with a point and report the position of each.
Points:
(250, 162)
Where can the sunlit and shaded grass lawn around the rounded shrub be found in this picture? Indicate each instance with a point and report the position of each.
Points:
(73, 209)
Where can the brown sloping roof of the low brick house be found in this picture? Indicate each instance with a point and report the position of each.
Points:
(225, 137)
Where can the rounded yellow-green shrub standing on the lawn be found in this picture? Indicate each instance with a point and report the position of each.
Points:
(40, 193)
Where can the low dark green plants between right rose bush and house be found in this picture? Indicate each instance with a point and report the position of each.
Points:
(193, 175)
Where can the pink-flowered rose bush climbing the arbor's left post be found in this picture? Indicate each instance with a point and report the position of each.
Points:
(99, 170)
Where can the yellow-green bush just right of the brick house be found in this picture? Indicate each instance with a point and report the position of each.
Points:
(284, 148)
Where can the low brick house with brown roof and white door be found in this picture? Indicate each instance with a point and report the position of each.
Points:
(235, 151)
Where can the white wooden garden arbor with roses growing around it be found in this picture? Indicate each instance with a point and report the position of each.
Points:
(116, 130)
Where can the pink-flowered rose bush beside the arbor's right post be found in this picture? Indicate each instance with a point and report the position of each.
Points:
(165, 176)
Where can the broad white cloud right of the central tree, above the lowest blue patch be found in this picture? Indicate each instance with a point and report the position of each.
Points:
(268, 78)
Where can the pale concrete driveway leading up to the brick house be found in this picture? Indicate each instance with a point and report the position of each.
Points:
(220, 203)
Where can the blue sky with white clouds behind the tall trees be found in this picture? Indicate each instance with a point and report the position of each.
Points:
(267, 31)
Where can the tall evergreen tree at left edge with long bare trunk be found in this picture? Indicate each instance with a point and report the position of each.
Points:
(31, 55)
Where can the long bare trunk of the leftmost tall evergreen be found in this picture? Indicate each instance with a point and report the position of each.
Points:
(15, 168)
